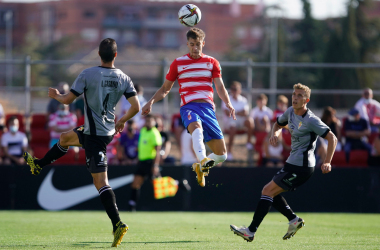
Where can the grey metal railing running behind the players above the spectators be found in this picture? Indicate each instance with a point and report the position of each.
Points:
(248, 64)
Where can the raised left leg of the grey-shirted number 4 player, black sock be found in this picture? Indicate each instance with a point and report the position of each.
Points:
(66, 139)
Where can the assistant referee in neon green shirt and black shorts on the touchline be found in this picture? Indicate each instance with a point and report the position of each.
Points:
(149, 148)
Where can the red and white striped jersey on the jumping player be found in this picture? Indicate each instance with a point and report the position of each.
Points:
(195, 77)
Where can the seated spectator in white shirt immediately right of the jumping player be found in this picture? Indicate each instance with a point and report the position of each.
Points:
(242, 121)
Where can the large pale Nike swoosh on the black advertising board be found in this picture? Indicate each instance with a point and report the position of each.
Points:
(51, 198)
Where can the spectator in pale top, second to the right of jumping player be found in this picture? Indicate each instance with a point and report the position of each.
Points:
(261, 114)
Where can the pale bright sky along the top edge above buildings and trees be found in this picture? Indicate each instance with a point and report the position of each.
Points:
(292, 8)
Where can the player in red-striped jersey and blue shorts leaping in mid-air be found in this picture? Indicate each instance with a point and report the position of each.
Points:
(195, 73)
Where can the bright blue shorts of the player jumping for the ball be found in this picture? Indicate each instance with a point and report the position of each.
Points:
(204, 114)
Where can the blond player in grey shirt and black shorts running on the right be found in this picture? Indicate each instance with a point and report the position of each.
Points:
(304, 127)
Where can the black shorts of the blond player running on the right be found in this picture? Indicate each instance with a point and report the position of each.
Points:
(290, 176)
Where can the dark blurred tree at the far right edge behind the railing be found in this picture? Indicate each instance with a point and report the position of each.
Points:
(357, 40)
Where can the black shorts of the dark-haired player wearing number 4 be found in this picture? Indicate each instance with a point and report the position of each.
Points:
(95, 150)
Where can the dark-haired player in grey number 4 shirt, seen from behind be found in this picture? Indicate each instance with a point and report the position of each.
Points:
(102, 87)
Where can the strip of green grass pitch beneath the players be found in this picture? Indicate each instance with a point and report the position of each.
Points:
(183, 230)
